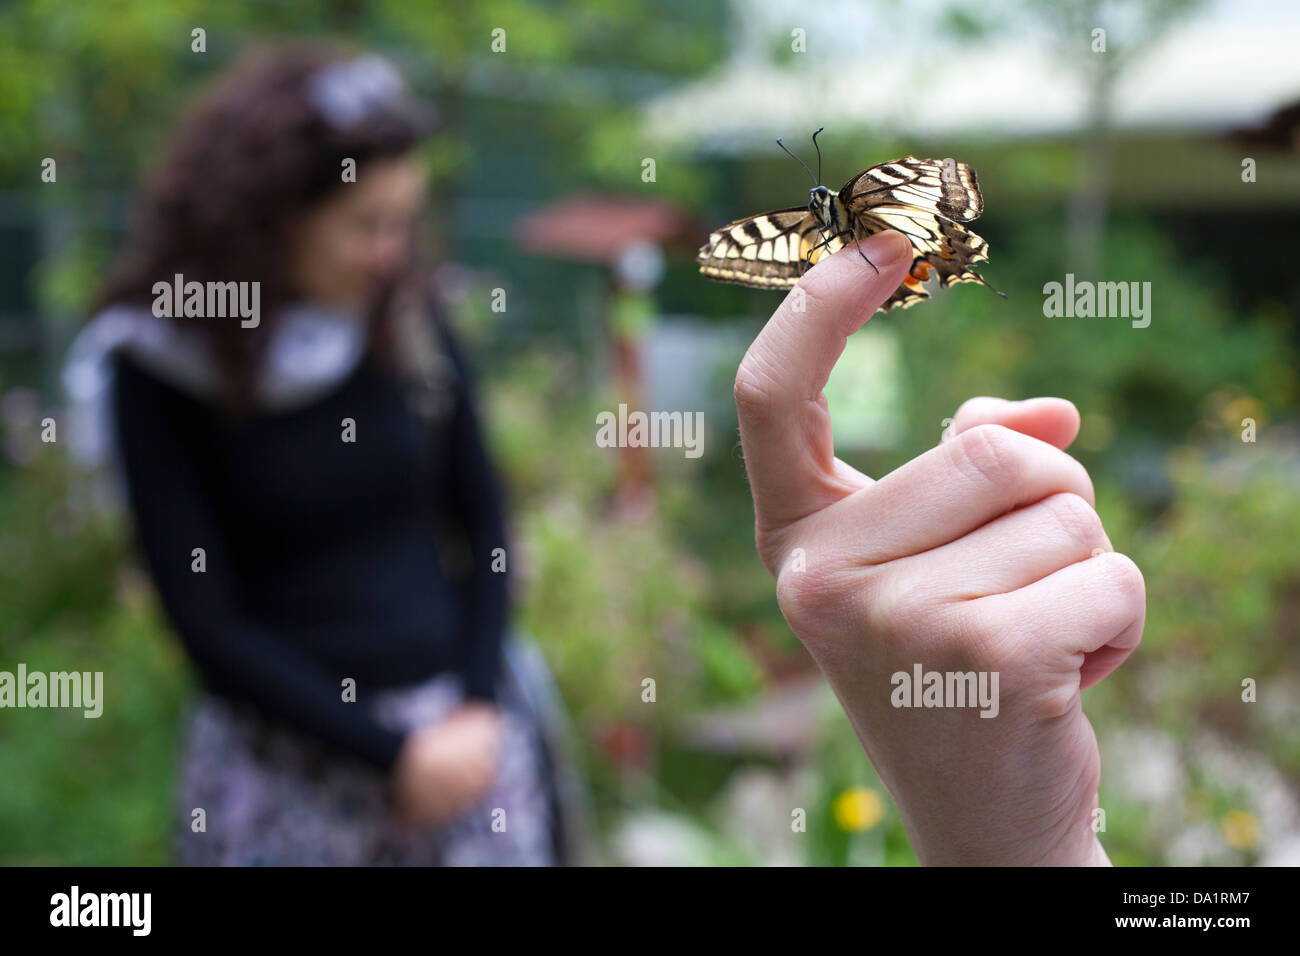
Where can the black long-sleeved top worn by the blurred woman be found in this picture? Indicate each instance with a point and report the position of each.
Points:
(322, 557)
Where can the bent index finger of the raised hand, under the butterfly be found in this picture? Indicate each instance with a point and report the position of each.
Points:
(785, 423)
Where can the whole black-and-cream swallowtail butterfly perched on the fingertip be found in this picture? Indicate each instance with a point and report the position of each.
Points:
(925, 200)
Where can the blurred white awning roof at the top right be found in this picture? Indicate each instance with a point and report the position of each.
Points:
(885, 68)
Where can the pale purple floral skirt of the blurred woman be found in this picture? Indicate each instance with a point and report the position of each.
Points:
(275, 797)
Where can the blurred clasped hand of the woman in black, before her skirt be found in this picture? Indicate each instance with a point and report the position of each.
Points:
(448, 767)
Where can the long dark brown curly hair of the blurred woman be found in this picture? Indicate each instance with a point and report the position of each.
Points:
(246, 161)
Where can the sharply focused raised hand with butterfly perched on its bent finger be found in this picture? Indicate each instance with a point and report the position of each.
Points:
(983, 555)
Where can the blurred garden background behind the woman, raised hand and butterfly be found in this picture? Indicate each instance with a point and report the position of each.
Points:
(1125, 165)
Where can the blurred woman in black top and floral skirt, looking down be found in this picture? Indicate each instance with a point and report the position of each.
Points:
(297, 431)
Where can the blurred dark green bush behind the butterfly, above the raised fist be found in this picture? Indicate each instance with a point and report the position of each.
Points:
(1133, 386)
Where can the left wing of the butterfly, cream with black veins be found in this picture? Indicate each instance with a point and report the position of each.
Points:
(768, 252)
